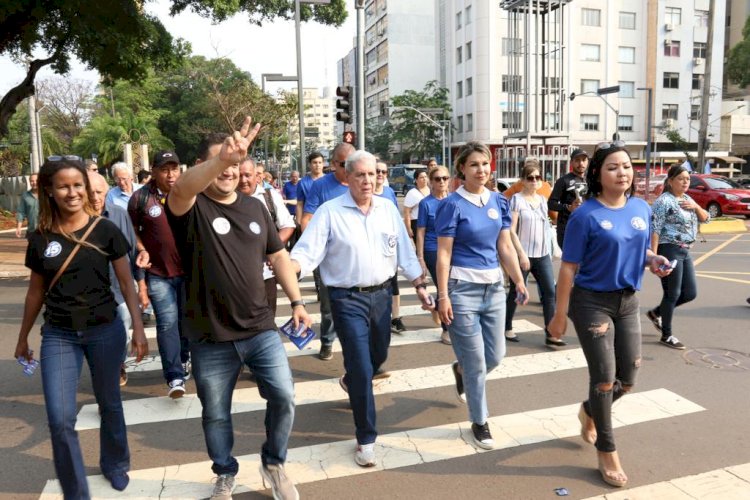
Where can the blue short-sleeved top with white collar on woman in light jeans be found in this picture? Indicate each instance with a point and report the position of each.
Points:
(475, 230)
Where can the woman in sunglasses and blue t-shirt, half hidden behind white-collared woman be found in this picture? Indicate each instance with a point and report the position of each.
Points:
(426, 237)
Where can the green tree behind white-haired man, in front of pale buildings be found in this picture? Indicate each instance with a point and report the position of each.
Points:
(418, 136)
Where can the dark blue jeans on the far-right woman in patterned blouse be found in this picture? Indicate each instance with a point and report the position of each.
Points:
(679, 287)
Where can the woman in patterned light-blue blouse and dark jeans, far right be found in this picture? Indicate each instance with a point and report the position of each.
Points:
(674, 228)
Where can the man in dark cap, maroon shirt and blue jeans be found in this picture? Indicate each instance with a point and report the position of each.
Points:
(163, 283)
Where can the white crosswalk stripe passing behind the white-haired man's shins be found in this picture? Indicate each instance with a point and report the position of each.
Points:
(162, 409)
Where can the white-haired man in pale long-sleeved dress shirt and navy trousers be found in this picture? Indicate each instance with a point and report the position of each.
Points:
(359, 241)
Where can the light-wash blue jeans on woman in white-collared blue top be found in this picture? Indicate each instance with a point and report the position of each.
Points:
(477, 336)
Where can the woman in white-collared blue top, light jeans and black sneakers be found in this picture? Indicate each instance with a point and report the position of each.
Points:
(473, 229)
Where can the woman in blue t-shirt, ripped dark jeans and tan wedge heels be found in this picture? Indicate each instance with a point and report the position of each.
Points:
(606, 249)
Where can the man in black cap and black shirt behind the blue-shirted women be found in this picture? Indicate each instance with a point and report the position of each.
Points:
(568, 191)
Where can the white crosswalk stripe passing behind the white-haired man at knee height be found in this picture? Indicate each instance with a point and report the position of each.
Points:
(407, 338)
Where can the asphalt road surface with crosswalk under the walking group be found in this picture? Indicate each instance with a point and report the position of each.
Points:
(711, 435)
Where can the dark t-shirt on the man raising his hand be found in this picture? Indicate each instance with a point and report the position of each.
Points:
(223, 248)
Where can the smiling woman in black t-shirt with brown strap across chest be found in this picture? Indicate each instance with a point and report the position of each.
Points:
(69, 256)
